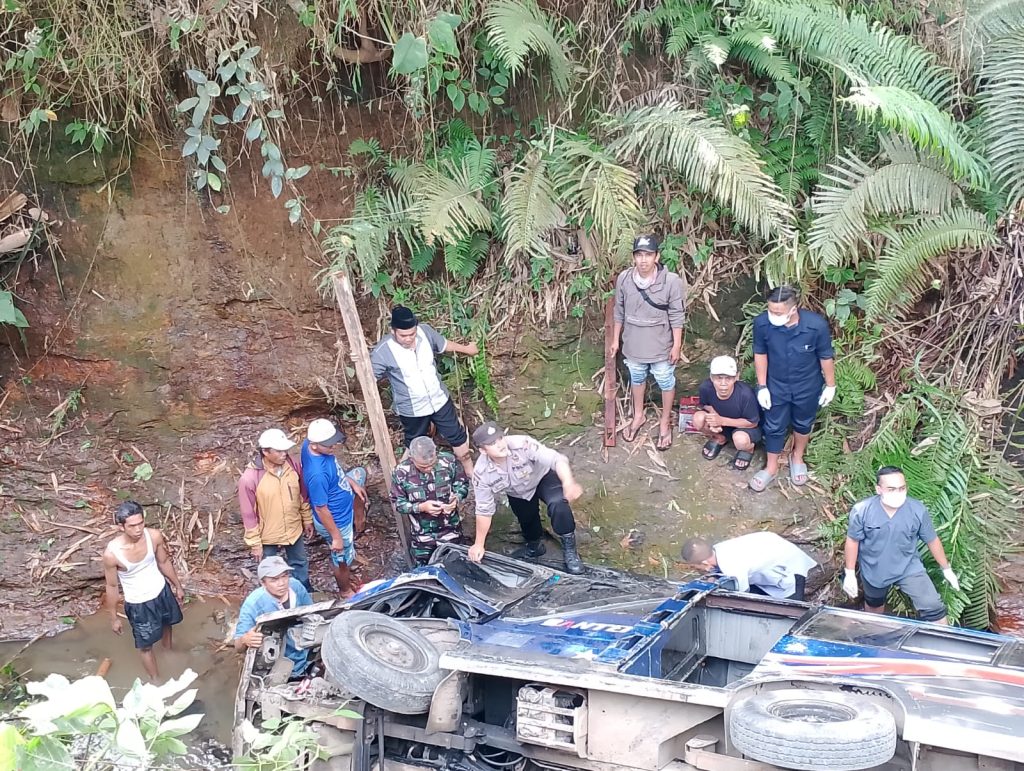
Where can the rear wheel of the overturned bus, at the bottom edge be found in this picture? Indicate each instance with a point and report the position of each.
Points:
(814, 731)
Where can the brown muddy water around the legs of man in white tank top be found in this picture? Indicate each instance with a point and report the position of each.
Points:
(198, 639)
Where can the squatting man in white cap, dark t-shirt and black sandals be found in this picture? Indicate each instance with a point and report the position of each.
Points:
(729, 413)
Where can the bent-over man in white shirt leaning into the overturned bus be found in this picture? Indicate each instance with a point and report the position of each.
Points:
(761, 563)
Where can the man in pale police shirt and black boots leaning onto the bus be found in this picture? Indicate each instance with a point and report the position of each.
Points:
(528, 473)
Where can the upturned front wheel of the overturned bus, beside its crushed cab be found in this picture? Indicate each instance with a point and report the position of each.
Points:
(381, 661)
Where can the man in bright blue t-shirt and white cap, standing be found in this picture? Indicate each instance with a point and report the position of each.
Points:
(337, 497)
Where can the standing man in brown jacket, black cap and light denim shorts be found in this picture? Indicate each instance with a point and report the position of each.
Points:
(649, 317)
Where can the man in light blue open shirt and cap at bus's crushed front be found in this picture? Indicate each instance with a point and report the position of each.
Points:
(278, 591)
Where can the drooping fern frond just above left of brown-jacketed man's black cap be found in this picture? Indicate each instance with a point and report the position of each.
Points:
(595, 189)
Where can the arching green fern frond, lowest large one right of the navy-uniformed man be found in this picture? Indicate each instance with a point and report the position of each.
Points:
(902, 273)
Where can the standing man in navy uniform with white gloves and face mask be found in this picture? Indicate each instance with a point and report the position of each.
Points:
(796, 371)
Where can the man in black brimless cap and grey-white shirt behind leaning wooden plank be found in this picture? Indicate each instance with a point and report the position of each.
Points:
(407, 358)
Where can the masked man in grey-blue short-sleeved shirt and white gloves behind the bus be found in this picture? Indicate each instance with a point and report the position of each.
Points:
(882, 537)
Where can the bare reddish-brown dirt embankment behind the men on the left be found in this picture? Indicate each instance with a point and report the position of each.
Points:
(180, 335)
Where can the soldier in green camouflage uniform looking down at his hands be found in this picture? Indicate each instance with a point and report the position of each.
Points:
(428, 488)
